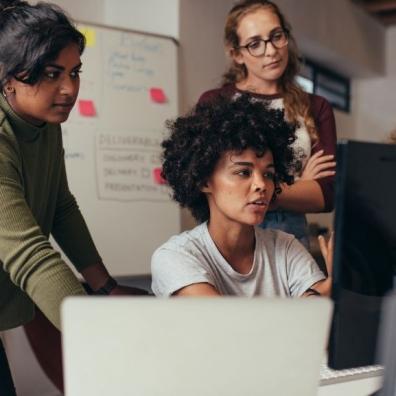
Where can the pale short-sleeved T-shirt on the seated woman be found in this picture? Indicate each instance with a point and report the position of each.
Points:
(281, 266)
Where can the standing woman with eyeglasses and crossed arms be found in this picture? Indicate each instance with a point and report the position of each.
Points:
(264, 63)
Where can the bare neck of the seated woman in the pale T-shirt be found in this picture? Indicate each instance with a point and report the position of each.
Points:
(236, 242)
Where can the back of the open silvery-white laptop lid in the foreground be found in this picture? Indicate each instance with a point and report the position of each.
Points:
(199, 346)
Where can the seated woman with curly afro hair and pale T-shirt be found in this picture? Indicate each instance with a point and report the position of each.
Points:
(225, 161)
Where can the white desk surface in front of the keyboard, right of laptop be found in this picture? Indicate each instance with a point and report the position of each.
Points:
(359, 387)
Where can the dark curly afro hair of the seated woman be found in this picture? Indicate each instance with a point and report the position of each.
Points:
(198, 140)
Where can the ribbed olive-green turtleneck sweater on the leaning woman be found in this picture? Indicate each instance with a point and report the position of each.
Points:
(35, 202)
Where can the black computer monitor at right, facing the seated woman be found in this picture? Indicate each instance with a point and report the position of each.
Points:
(365, 249)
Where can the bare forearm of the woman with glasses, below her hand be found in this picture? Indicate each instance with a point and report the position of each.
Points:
(304, 196)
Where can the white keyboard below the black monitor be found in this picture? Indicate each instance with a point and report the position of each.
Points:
(330, 376)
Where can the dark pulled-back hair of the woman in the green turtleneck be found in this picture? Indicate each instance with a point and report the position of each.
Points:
(31, 36)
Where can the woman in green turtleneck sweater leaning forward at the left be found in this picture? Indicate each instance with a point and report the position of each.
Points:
(39, 81)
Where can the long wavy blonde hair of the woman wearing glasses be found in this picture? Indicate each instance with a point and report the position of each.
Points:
(296, 101)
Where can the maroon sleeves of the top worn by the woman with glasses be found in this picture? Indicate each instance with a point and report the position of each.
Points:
(323, 115)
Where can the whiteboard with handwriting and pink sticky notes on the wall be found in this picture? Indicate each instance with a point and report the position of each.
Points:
(112, 144)
